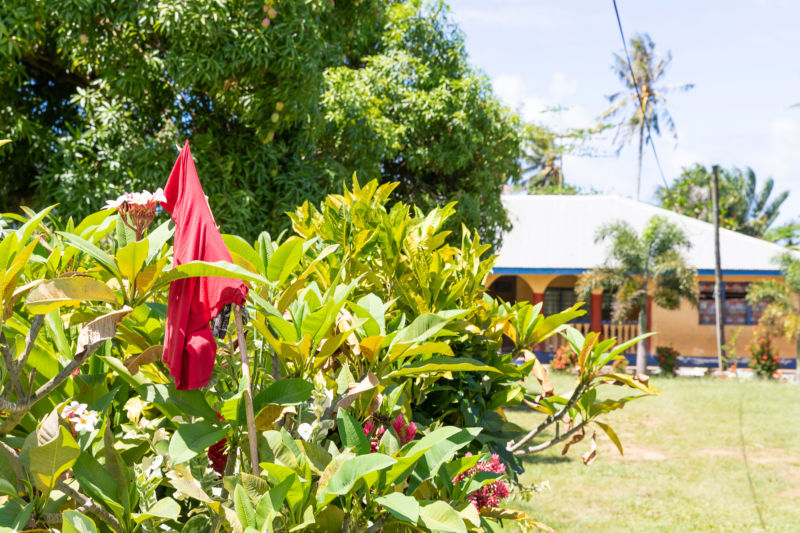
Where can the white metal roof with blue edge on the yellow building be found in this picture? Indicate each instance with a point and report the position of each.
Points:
(554, 233)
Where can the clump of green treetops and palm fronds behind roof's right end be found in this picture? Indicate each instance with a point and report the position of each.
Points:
(743, 206)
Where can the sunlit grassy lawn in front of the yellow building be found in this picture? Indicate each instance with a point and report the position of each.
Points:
(703, 455)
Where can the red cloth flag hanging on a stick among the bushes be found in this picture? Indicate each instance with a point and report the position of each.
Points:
(189, 347)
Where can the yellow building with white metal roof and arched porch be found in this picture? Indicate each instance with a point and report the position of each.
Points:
(552, 242)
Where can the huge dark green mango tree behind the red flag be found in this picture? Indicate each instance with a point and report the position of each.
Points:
(281, 100)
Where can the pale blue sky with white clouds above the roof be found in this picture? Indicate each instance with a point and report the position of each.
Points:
(743, 57)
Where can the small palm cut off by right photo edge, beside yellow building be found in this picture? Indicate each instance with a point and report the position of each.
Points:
(782, 312)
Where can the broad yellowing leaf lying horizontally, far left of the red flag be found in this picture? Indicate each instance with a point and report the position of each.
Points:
(71, 291)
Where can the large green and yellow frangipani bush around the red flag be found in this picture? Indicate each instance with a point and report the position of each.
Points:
(379, 382)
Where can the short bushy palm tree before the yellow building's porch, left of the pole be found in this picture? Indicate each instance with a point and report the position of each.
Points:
(637, 265)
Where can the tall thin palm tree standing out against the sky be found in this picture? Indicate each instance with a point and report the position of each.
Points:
(644, 108)
